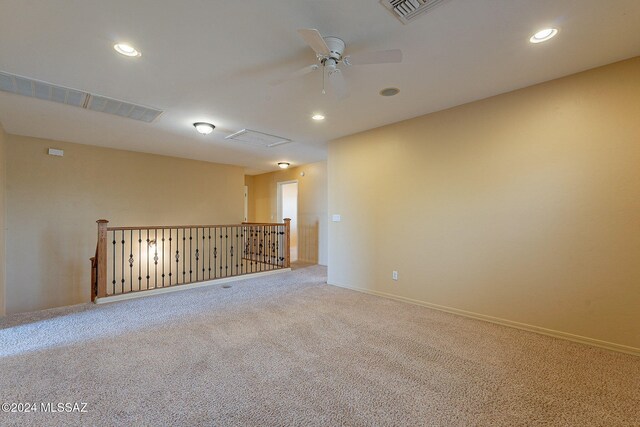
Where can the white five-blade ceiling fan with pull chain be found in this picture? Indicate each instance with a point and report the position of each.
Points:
(330, 55)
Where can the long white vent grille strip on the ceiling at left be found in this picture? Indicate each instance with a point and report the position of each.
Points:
(77, 98)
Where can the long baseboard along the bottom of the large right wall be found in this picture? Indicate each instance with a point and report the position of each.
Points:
(504, 322)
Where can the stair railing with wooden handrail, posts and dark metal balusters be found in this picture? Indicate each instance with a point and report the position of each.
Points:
(134, 259)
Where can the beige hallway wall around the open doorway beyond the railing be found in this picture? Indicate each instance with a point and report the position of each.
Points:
(312, 206)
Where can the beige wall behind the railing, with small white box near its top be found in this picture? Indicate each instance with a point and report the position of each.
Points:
(53, 203)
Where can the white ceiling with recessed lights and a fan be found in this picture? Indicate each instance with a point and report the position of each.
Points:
(213, 61)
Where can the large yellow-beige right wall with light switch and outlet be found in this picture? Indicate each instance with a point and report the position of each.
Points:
(524, 207)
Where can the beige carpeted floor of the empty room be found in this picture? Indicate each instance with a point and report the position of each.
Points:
(290, 350)
